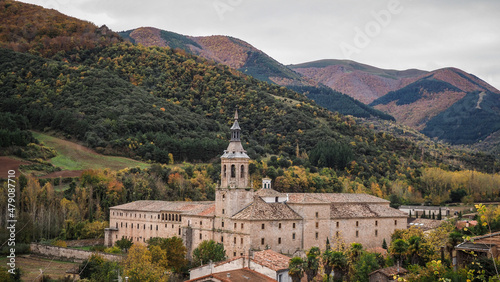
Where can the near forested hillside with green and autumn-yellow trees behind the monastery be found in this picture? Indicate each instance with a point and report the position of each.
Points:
(164, 106)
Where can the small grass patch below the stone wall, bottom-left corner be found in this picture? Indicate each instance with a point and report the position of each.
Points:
(31, 267)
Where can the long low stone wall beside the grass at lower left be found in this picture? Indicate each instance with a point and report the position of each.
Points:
(68, 254)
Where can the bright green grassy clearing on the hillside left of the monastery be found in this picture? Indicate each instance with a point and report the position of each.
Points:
(72, 156)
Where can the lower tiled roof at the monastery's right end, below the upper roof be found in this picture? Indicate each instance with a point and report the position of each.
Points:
(354, 210)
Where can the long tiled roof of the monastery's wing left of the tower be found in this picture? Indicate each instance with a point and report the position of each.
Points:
(206, 208)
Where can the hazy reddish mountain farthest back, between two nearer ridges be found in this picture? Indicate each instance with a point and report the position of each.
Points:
(362, 82)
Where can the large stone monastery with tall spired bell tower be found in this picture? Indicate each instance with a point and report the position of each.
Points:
(243, 219)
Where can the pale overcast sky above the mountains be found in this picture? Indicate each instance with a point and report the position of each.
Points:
(392, 34)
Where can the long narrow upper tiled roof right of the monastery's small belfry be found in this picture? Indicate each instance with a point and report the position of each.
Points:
(308, 198)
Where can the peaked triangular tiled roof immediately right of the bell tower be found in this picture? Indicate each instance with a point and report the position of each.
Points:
(260, 210)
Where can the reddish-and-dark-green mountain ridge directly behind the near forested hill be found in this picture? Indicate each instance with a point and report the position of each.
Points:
(240, 55)
